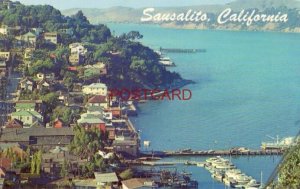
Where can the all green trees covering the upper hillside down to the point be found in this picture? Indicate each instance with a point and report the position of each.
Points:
(133, 65)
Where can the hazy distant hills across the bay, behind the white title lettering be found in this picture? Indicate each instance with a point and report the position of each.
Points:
(131, 15)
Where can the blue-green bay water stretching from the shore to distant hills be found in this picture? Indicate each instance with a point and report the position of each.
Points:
(247, 87)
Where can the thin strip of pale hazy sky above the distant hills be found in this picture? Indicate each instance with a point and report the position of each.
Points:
(66, 4)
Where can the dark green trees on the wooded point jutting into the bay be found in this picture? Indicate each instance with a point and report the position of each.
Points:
(135, 65)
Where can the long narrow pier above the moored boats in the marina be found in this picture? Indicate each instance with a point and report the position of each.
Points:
(204, 153)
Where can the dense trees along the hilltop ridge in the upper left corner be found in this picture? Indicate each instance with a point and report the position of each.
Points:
(51, 19)
